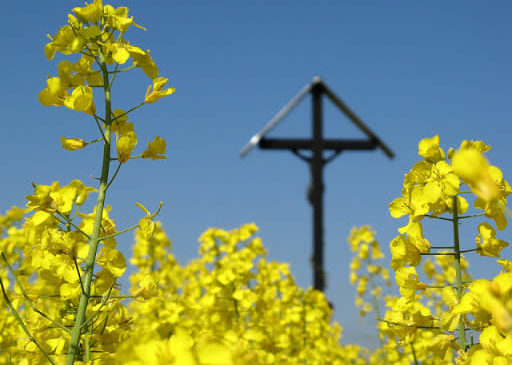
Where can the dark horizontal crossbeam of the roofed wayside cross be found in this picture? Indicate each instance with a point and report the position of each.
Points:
(327, 144)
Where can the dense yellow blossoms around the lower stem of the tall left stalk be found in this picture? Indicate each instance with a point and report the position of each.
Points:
(45, 258)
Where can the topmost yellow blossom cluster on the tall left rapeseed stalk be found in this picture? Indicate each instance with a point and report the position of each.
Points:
(96, 33)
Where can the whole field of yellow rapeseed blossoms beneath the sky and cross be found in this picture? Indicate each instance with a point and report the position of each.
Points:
(60, 268)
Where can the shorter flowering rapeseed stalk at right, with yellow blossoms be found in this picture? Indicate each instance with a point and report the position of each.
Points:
(432, 188)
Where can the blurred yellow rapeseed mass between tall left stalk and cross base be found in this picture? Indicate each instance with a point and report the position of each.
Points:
(229, 306)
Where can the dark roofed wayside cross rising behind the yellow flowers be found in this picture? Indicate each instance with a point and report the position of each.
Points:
(317, 145)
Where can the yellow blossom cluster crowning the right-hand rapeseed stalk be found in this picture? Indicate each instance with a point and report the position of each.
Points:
(429, 189)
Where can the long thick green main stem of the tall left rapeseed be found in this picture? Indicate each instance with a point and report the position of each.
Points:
(76, 333)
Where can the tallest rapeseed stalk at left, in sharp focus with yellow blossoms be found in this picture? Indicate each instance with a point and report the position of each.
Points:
(96, 33)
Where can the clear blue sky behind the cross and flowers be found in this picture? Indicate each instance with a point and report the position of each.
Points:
(409, 69)
